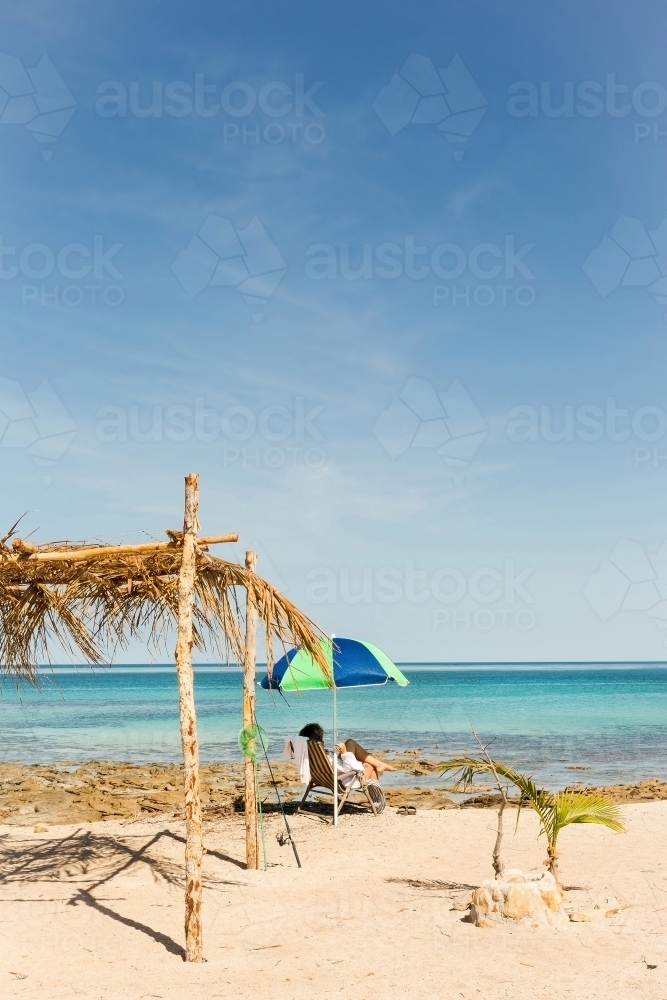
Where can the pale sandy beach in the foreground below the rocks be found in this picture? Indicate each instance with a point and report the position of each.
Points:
(96, 911)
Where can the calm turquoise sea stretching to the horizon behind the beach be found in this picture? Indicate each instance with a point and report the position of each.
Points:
(611, 718)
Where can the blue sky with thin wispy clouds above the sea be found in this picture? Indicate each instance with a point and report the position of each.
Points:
(531, 549)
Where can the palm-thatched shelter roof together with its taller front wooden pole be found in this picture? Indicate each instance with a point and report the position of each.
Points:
(91, 599)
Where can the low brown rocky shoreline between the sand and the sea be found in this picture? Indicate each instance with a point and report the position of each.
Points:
(38, 794)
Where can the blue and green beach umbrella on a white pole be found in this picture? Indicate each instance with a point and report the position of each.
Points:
(351, 662)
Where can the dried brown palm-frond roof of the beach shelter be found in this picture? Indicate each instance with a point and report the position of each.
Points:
(88, 599)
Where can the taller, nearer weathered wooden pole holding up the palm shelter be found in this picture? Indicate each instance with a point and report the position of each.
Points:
(186, 700)
